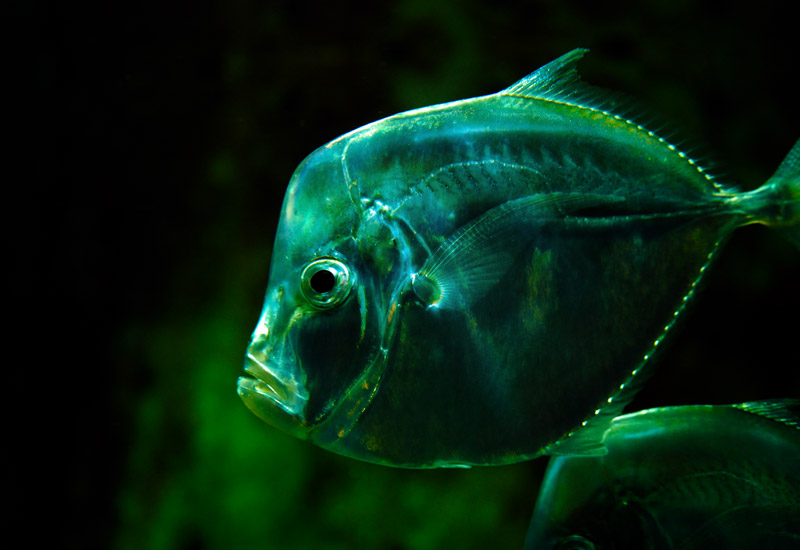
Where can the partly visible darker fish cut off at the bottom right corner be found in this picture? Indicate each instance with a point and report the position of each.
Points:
(679, 477)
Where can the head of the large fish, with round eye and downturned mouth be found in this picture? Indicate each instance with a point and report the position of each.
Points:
(316, 331)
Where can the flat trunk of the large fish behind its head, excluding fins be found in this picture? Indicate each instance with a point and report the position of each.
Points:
(583, 301)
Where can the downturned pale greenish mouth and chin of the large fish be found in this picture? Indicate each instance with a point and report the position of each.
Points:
(272, 394)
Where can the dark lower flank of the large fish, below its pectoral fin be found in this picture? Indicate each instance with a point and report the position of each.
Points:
(512, 372)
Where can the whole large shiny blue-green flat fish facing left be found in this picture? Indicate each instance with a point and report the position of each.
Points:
(470, 283)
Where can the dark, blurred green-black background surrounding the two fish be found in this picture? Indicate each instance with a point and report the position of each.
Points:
(165, 135)
